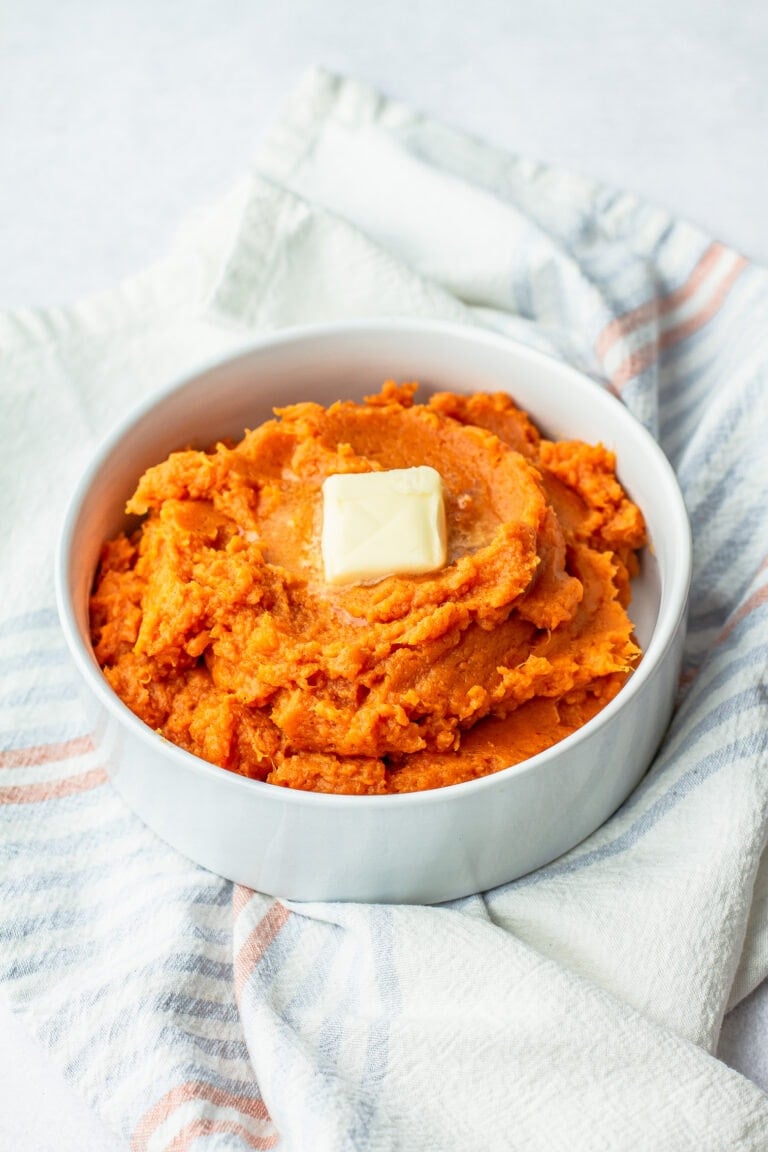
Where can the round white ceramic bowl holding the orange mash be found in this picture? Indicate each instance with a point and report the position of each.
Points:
(420, 847)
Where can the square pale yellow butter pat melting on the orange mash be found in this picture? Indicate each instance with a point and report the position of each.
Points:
(378, 525)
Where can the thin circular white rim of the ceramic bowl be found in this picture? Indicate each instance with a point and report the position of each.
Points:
(663, 638)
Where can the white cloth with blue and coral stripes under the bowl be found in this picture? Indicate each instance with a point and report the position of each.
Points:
(577, 1009)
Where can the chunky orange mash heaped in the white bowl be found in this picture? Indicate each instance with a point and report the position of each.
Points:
(214, 623)
